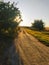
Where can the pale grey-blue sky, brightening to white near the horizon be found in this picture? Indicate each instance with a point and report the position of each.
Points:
(33, 9)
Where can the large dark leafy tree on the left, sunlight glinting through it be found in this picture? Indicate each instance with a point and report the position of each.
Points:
(8, 12)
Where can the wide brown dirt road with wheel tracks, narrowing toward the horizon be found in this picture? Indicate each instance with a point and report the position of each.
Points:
(31, 51)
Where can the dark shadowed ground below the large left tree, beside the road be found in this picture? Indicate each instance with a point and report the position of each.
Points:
(8, 53)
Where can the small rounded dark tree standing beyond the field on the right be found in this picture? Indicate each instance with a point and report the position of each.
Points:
(38, 25)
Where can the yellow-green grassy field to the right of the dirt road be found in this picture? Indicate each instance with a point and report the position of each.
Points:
(42, 36)
